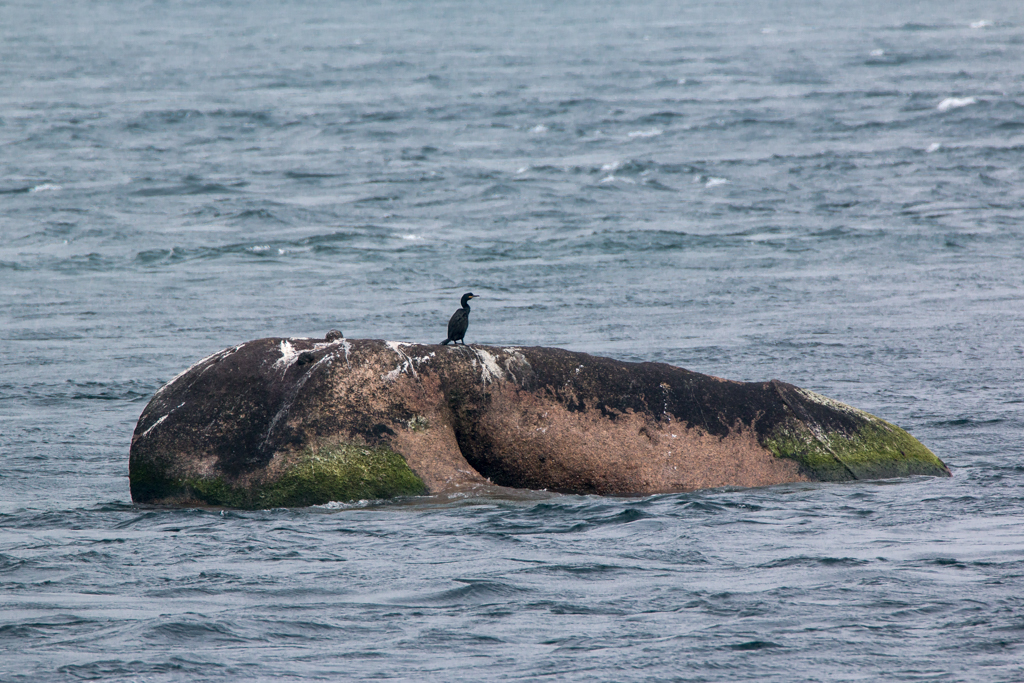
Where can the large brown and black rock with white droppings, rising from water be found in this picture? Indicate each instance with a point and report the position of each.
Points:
(292, 422)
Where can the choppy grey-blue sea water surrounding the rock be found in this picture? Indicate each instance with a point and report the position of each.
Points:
(831, 194)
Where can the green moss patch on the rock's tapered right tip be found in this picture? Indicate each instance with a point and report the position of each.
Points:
(876, 451)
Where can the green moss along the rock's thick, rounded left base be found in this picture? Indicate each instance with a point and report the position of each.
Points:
(342, 474)
